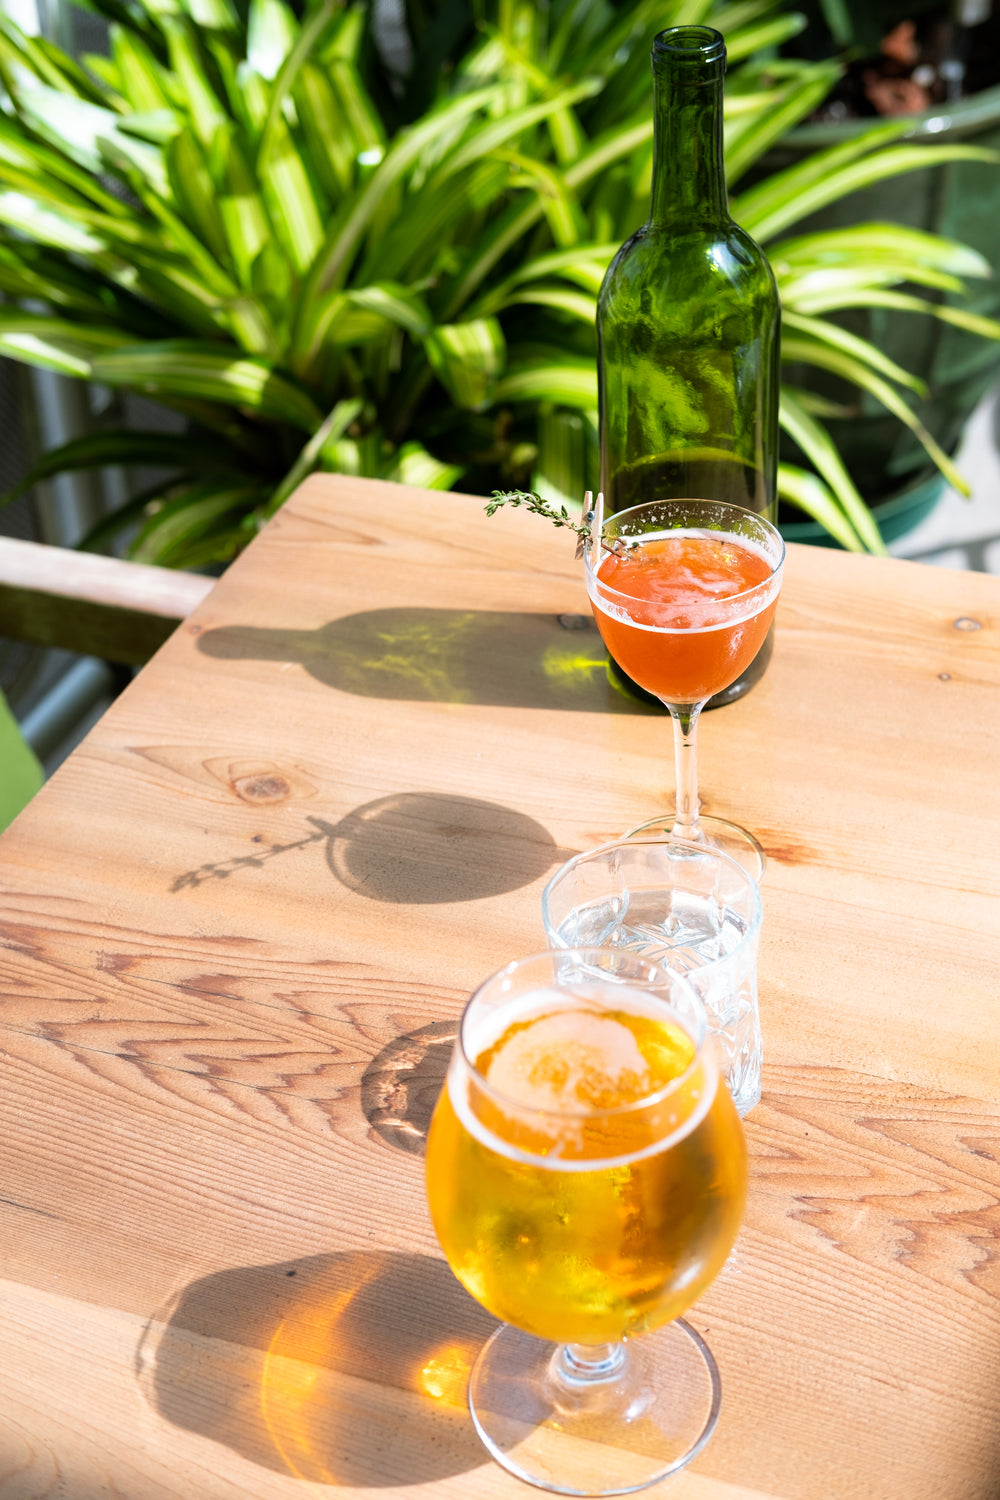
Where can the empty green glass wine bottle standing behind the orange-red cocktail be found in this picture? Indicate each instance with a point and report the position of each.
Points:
(689, 320)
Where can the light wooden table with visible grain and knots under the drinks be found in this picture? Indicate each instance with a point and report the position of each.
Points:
(241, 922)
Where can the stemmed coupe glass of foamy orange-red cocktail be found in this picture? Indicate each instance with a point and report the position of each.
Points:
(684, 593)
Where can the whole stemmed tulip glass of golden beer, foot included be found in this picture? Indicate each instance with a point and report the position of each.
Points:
(587, 1177)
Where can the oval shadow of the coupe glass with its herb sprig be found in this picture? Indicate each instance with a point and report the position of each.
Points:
(416, 848)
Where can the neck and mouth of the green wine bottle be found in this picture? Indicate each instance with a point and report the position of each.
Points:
(689, 166)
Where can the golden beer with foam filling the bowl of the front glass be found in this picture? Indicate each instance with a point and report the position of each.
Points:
(587, 1174)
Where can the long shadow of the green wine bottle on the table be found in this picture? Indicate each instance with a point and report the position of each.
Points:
(446, 656)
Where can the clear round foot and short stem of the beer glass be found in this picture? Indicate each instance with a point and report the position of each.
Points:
(596, 1421)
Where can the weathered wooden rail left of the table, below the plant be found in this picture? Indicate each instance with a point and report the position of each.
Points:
(94, 605)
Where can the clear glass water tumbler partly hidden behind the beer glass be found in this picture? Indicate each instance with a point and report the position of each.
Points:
(686, 907)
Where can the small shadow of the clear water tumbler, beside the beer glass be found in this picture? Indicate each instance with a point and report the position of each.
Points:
(403, 1084)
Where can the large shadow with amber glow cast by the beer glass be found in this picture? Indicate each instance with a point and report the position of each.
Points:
(340, 1370)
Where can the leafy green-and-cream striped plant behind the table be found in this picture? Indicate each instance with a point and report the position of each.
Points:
(322, 263)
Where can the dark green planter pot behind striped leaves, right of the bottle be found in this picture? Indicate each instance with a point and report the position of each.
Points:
(960, 200)
